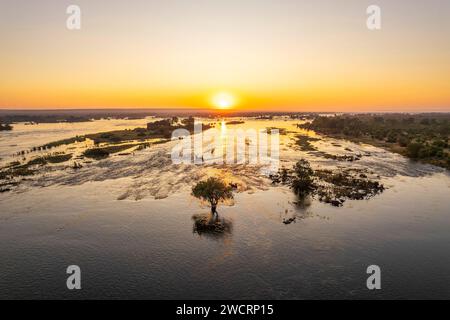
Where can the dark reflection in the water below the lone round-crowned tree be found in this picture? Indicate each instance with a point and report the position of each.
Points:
(213, 226)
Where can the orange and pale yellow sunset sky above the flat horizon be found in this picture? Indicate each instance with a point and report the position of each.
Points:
(267, 54)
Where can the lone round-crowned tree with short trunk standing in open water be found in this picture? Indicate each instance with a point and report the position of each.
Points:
(212, 190)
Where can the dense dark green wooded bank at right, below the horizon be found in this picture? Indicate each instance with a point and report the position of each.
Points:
(423, 137)
